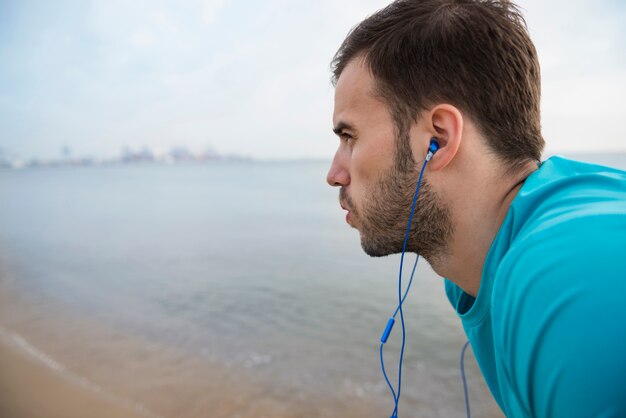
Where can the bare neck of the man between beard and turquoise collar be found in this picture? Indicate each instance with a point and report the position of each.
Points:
(477, 219)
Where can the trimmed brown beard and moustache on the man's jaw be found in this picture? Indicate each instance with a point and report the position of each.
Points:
(384, 214)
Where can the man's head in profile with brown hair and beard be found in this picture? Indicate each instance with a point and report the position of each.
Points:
(471, 59)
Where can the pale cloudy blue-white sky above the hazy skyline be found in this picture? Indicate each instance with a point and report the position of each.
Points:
(252, 77)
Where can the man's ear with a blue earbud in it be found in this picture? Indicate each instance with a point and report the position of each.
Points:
(445, 123)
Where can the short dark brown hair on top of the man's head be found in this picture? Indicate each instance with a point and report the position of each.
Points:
(474, 54)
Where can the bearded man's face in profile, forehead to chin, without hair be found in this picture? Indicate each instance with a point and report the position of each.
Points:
(377, 185)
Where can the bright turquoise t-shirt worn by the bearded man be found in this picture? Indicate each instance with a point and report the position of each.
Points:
(547, 327)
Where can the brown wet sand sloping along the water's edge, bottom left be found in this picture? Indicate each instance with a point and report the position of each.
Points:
(57, 365)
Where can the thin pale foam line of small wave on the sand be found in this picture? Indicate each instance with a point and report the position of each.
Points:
(22, 344)
